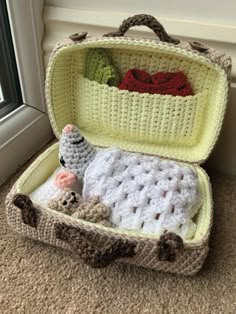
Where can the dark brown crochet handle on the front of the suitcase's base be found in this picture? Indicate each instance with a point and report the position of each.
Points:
(95, 257)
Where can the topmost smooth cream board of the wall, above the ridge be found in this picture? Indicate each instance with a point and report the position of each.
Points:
(213, 11)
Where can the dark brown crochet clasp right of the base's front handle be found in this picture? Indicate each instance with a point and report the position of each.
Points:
(169, 246)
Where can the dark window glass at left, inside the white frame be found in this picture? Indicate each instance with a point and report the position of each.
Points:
(10, 93)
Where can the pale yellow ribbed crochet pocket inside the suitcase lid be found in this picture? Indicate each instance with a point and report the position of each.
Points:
(141, 118)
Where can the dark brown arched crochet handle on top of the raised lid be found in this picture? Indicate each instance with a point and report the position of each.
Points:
(144, 20)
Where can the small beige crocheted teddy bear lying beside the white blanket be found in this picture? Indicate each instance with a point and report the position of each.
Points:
(70, 203)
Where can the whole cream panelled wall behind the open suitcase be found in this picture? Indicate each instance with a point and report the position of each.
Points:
(211, 22)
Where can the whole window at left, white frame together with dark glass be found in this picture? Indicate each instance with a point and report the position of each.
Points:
(24, 123)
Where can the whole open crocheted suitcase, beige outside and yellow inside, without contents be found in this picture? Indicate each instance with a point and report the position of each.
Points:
(173, 127)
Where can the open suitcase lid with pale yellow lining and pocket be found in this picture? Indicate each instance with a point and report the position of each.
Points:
(176, 127)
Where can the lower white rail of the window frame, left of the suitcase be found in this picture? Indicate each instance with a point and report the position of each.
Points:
(23, 132)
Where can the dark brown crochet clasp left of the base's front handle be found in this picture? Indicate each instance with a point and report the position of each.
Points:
(30, 215)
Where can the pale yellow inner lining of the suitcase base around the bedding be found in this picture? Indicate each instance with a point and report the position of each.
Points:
(46, 163)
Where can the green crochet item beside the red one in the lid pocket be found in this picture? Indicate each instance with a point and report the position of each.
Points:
(99, 68)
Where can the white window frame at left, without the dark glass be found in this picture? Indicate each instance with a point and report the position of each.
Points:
(27, 128)
